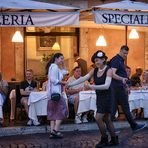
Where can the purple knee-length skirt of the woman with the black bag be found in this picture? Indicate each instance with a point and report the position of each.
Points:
(57, 110)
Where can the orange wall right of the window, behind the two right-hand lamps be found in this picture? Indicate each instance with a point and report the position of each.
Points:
(115, 39)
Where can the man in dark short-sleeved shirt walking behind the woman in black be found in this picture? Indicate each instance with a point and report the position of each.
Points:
(120, 94)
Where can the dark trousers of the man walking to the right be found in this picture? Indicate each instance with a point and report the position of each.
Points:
(120, 96)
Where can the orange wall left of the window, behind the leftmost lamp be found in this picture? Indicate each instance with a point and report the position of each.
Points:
(12, 55)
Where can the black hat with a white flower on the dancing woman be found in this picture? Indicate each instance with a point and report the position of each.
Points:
(99, 54)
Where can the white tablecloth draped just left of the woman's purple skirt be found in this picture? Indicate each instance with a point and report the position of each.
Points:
(37, 104)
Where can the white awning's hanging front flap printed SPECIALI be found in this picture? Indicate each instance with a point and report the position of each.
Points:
(121, 18)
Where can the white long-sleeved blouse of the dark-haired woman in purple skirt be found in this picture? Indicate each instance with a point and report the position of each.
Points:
(55, 74)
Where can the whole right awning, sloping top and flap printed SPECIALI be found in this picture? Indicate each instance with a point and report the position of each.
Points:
(122, 13)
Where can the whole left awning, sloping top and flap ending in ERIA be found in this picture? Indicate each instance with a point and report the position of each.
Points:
(30, 13)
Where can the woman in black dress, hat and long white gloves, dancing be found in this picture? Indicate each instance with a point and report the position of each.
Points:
(102, 75)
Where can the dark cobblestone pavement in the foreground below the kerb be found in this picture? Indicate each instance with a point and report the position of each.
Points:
(75, 139)
